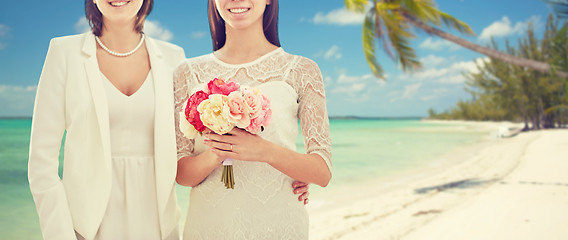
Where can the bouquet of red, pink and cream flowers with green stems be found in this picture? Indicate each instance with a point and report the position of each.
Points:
(220, 106)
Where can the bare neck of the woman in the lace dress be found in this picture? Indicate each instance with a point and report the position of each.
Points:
(243, 45)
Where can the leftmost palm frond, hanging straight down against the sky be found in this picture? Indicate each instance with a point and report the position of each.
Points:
(369, 46)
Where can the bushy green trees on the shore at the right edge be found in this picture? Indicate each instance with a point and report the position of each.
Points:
(502, 91)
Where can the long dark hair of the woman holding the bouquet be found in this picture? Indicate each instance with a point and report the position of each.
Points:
(217, 25)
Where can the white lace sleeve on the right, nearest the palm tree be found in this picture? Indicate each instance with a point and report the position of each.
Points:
(312, 110)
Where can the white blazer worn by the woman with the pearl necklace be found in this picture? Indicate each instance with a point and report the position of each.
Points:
(71, 97)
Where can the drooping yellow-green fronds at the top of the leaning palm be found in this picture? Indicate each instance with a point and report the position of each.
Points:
(390, 23)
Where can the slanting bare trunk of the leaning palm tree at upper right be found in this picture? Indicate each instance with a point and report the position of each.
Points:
(523, 62)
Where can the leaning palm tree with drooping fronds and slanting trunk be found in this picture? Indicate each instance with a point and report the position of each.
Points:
(391, 21)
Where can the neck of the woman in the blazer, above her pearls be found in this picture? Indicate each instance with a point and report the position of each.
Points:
(120, 37)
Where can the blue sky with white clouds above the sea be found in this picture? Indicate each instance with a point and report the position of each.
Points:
(321, 30)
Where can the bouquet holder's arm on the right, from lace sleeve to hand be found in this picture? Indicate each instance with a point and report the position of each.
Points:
(312, 167)
